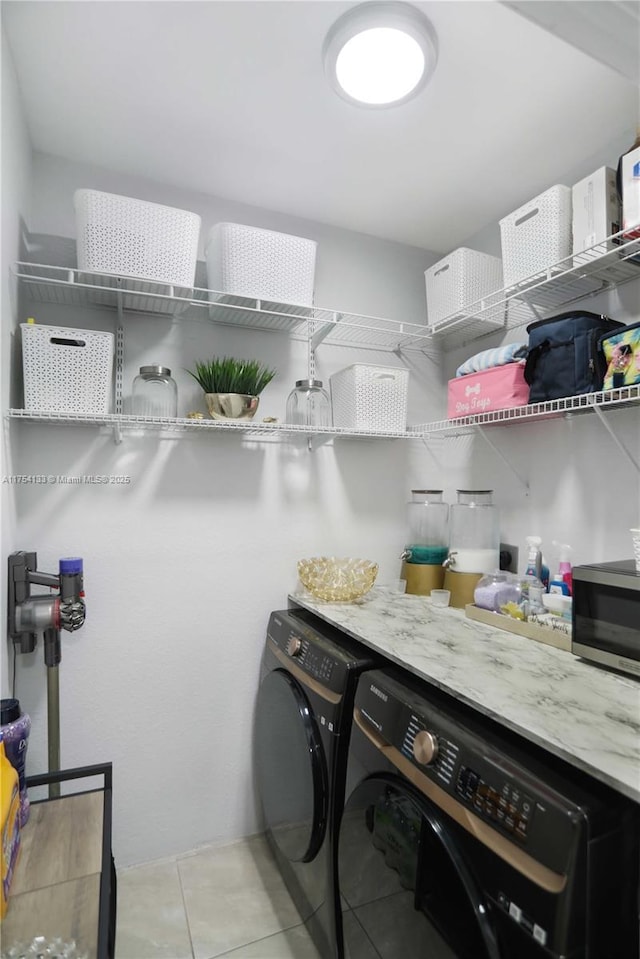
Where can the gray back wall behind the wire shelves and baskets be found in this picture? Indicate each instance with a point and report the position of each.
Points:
(184, 563)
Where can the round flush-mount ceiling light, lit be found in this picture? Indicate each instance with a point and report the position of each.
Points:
(380, 54)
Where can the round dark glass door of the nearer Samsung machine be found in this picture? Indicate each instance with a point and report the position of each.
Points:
(406, 889)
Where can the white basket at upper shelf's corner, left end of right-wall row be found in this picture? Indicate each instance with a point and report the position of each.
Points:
(460, 280)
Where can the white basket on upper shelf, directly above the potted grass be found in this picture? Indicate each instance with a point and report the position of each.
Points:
(261, 264)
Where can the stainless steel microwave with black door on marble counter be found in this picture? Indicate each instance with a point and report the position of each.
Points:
(606, 614)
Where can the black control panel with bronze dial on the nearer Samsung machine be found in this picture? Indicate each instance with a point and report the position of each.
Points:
(472, 771)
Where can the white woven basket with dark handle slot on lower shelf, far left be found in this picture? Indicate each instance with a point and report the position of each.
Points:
(66, 370)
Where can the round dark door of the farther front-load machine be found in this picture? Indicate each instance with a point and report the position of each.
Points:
(291, 767)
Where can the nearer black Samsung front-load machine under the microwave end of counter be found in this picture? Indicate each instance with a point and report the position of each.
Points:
(459, 840)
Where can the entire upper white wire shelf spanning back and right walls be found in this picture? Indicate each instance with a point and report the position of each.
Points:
(606, 265)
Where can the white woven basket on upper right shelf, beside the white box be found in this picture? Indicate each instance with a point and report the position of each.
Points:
(537, 235)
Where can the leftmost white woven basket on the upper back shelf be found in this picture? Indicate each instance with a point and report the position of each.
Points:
(117, 234)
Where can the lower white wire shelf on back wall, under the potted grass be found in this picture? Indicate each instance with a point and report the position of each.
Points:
(130, 423)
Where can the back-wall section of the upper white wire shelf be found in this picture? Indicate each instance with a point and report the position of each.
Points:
(70, 287)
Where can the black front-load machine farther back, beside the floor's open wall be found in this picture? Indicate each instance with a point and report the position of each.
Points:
(303, 719)
